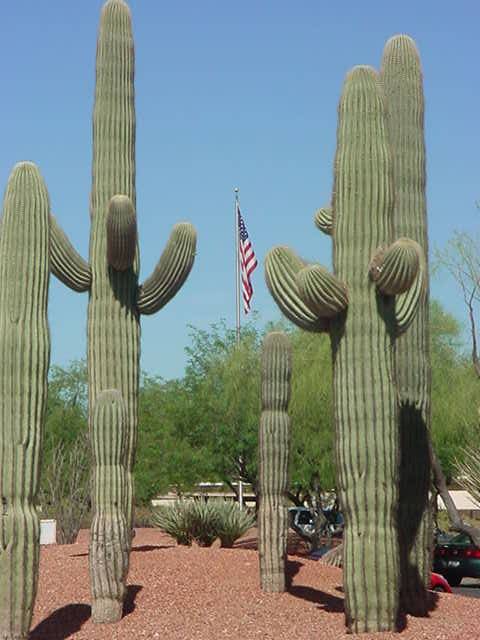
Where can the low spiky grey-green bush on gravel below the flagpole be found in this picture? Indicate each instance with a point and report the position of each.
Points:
(203, 521)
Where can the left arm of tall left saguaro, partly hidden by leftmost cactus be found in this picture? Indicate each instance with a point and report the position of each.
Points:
(67, 265)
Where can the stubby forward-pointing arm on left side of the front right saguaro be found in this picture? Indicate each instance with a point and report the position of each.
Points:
(321, 291)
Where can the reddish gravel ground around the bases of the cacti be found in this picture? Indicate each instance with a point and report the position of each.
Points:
(179, 593)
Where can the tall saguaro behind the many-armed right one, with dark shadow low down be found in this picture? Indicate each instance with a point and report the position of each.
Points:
(402, 80)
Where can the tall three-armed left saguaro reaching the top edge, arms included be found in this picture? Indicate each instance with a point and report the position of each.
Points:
(116, 300)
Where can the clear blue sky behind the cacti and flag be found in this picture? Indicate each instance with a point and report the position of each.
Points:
(228, 94)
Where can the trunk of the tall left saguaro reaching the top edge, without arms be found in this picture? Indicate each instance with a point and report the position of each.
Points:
(113, 319)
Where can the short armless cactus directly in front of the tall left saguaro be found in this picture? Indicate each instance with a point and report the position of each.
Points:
(109, 531)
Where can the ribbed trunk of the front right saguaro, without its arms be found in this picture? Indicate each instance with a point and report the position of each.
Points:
(365, 402)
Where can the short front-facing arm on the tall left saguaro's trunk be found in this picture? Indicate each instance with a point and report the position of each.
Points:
(121, 233)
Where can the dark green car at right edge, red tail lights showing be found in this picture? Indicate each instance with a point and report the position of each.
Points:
(457, 558)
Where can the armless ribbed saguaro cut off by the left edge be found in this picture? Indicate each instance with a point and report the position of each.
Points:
(24, 354)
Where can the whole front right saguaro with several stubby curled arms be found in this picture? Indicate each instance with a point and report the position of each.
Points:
(357, 306)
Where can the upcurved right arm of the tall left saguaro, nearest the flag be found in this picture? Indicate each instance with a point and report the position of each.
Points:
(171, 271)
